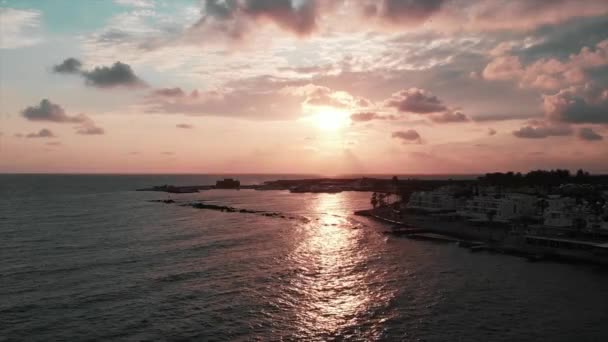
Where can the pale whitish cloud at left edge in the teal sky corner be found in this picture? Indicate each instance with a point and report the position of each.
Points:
(20, 28)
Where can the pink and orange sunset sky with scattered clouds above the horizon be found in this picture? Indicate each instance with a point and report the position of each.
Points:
(303, 86)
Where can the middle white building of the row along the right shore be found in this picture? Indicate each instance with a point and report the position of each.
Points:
(499, 208)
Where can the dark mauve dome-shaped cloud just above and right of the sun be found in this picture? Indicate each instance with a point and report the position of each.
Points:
(416, 100)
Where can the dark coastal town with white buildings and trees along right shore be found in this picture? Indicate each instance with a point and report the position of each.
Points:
(540, 215)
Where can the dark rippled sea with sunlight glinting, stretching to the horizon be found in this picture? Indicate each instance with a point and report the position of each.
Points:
(87, 258)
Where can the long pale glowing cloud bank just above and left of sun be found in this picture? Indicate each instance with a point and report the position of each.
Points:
(261, 98)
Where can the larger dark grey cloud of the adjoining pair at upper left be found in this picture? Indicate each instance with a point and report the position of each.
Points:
(119, 74)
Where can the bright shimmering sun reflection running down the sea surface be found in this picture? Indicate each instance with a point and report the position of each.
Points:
(333, 282)
